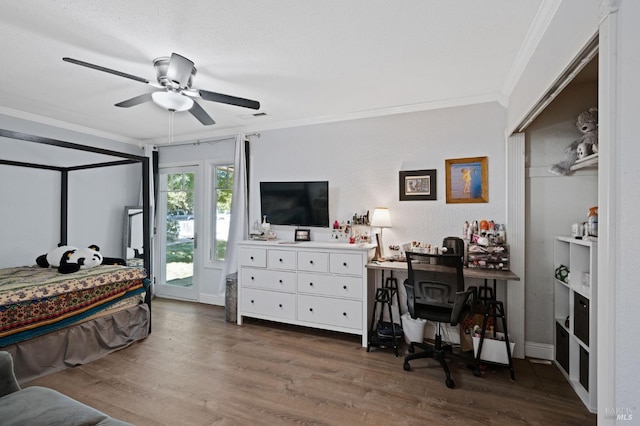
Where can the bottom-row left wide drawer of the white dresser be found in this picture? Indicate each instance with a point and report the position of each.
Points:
(269, 303)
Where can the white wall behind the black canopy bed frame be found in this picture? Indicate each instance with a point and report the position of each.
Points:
(30, 198)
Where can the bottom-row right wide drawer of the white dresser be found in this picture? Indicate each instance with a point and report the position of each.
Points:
(329, 311)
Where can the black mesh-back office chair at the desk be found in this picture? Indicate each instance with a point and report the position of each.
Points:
(435, 292)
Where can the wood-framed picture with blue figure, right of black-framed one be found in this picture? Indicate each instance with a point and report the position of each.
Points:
(467, 180)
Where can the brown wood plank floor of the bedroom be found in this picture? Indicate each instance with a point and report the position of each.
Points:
(197, 369)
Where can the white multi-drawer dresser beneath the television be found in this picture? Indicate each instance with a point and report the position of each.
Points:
(320, 285)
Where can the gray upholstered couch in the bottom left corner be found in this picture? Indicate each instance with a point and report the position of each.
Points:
(36, 405)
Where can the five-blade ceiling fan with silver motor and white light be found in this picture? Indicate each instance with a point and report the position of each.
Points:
(174, 76)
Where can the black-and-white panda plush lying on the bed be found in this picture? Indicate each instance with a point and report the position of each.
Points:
(70, 259)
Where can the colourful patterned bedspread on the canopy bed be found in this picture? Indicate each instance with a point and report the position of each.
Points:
(32, 297)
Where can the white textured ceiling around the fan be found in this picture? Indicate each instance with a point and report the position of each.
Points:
(304, 61)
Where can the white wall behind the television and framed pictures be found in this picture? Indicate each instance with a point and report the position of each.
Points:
(361, 160)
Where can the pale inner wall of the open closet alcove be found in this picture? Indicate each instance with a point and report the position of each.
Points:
(553, 202)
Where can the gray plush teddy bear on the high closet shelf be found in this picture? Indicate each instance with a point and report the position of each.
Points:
(587, 144)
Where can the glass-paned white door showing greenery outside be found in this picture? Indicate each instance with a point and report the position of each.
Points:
(177, 228)
